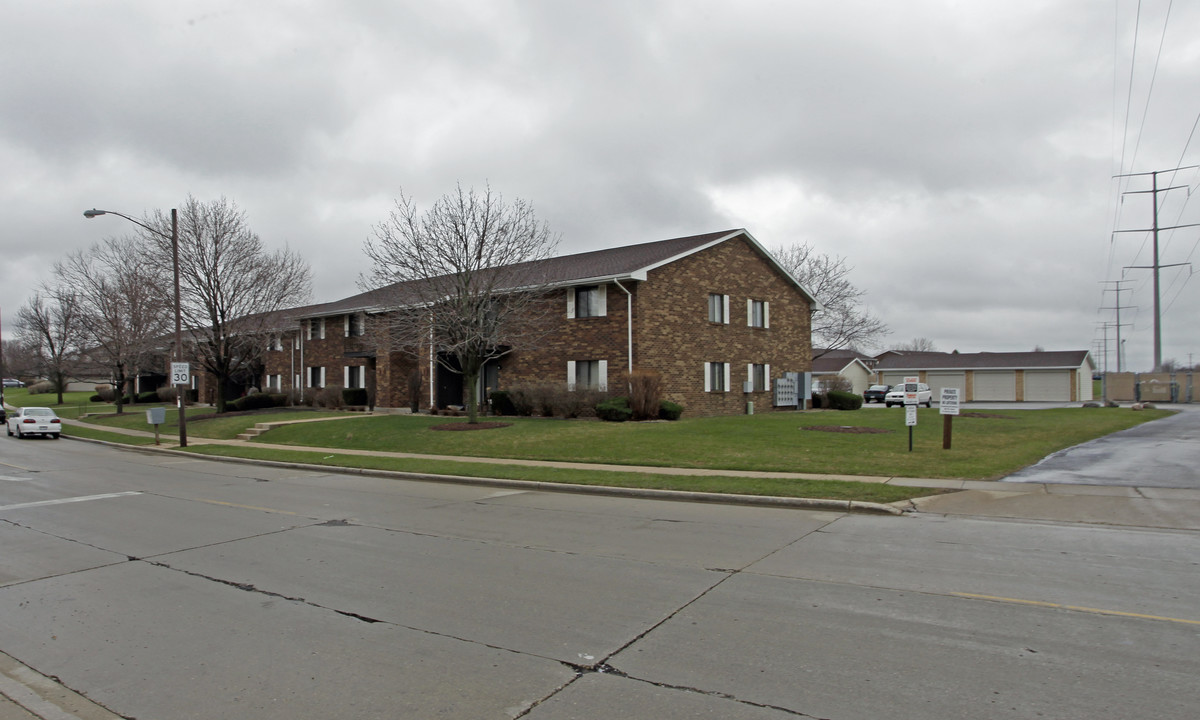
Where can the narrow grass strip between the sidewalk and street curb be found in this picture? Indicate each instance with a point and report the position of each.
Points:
(835, 490)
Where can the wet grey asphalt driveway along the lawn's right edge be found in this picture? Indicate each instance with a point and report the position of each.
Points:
(1161, 454)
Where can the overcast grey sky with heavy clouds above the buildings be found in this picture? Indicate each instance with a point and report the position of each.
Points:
(958, 154)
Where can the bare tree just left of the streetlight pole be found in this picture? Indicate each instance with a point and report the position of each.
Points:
(124, 304)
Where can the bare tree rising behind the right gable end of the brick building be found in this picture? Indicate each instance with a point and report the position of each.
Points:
(843, 321)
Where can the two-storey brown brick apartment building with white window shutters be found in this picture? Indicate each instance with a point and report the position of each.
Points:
(715, 315)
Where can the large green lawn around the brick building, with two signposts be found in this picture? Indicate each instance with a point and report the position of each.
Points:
(982, 447)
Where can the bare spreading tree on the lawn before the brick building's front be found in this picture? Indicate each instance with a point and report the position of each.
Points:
(464, 280)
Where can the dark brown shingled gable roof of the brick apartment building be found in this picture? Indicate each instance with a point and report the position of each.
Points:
(629, 262)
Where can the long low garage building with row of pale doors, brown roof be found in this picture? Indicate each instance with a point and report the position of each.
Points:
(1057, 376)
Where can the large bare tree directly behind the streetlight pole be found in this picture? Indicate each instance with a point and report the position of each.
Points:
(231, 286)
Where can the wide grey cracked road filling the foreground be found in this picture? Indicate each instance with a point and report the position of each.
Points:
(169, 589)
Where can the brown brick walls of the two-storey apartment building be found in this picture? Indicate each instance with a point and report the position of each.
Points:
(671, 335)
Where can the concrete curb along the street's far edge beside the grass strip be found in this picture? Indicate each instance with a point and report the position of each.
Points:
(598, 490)
